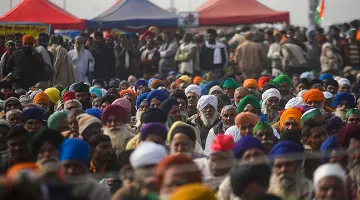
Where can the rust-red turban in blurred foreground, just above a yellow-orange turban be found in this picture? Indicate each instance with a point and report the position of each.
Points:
(182, 161)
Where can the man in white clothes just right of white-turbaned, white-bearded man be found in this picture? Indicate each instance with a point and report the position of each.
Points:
(227, 119)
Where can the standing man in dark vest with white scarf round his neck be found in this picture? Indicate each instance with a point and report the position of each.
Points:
(213, 55)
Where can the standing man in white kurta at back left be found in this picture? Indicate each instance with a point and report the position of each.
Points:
(82, 61)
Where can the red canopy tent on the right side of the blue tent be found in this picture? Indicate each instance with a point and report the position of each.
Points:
(235, 12)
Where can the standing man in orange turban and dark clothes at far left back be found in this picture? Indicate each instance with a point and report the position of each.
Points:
(27, 64)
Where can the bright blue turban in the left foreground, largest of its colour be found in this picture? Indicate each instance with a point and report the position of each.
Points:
(75, 149)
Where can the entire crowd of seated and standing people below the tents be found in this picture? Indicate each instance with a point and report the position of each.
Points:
(256, 115)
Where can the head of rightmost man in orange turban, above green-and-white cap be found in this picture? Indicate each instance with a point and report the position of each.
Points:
(314, 98)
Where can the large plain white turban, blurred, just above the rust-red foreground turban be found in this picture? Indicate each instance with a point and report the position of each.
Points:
(147, 153)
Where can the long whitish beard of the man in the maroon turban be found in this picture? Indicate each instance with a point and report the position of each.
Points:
(119, 137)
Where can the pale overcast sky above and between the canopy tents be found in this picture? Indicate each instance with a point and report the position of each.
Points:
(336, 11)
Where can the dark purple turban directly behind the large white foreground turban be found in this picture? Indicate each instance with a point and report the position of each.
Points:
(153, 128)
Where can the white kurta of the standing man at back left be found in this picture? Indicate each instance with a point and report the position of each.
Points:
(82, 65)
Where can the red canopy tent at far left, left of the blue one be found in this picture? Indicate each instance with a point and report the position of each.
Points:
(43, 11)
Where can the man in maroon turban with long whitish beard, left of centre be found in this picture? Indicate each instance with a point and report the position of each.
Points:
(114, 119)
